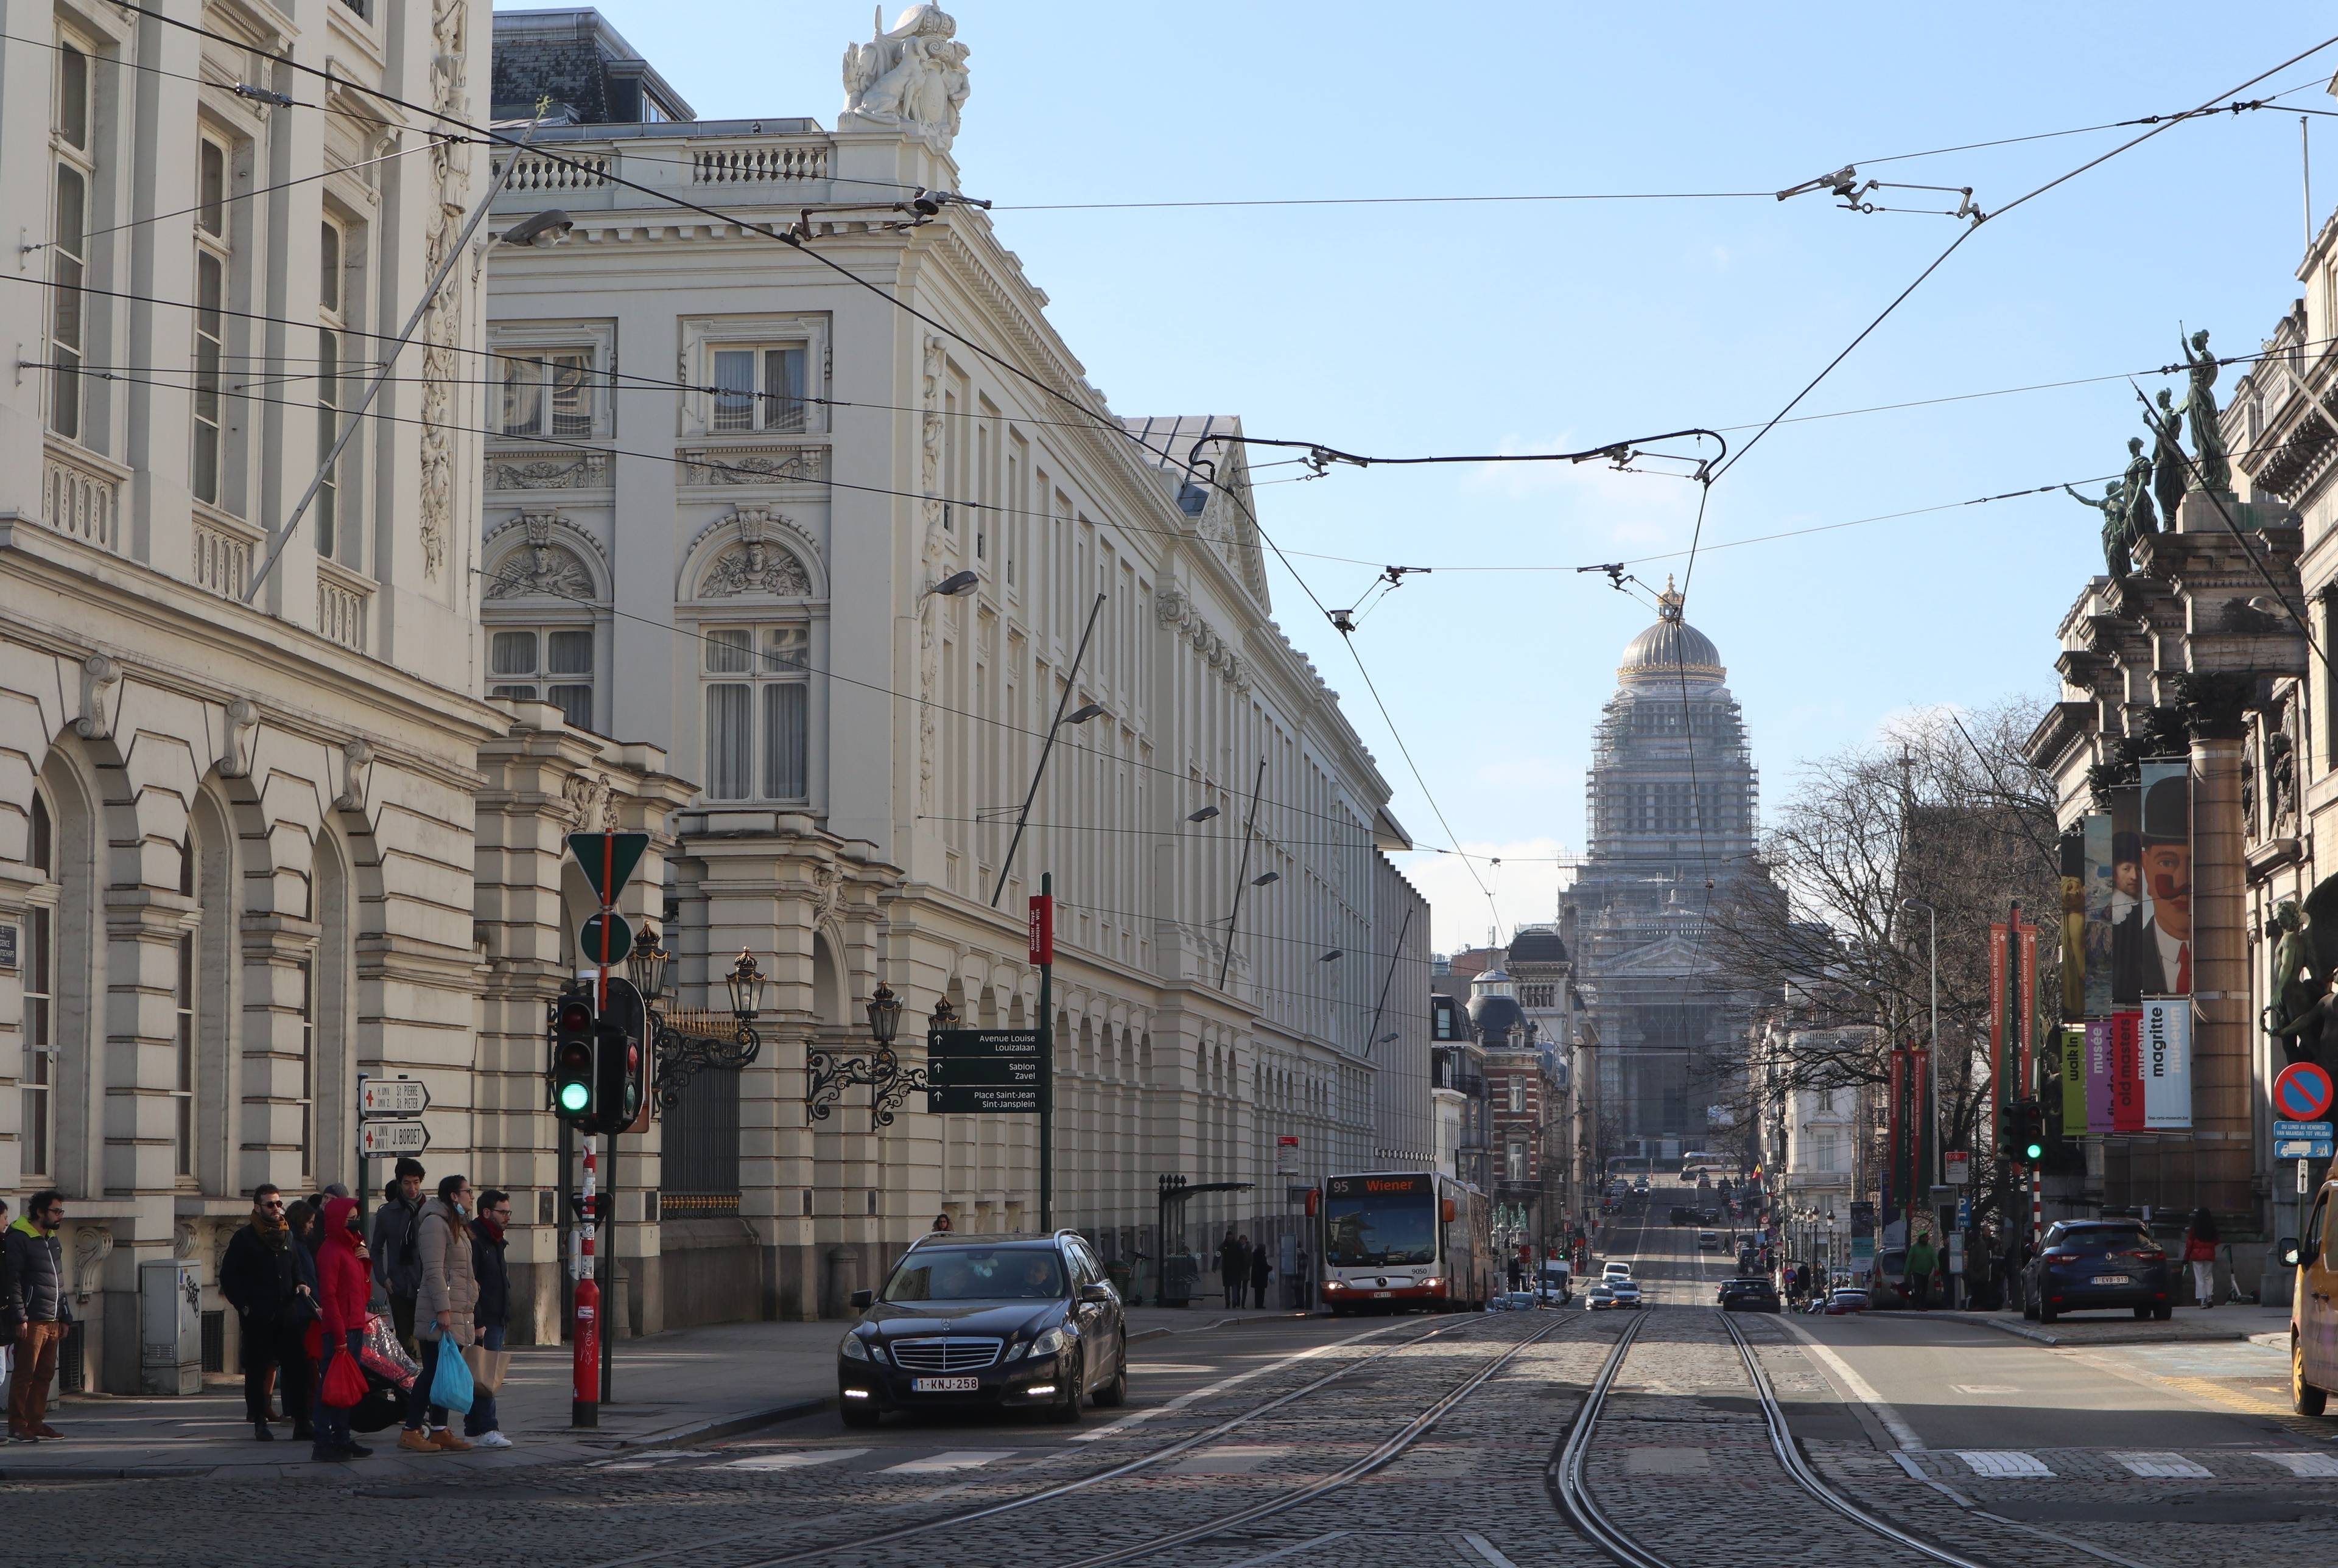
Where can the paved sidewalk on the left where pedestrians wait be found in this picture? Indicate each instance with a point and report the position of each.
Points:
(672, 1392)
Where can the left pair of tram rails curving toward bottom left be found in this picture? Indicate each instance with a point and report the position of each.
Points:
(864, 1546)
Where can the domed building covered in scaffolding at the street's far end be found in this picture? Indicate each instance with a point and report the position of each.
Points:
(1671, 807)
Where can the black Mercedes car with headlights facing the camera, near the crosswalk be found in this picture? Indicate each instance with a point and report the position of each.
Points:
(988, 1321)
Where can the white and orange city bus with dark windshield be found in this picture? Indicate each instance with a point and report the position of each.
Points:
(1406, 1240)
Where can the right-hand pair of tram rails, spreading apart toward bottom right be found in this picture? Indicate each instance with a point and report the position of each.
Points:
(1844, 1525)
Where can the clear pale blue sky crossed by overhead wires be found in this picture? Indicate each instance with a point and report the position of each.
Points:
(1551, 326)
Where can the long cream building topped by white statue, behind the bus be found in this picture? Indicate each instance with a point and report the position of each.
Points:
(841, 527)
